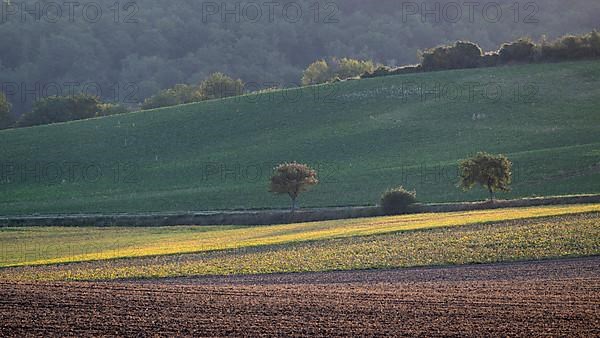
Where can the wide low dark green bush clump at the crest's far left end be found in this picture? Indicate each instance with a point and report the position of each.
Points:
(55, 109)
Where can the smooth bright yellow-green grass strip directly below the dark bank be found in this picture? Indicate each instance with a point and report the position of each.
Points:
(54, 245)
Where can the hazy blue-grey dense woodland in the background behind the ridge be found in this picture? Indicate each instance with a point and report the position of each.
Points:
(136, 49)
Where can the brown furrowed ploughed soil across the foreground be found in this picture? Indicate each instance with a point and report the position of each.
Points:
(543, 298)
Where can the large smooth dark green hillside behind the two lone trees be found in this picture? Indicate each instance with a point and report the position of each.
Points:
(363, 136)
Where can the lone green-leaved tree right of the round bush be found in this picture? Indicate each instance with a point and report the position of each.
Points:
(487, 170)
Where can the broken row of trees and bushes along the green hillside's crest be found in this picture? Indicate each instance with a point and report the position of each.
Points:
(460, 55)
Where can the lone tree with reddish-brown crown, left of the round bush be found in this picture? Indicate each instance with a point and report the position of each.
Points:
(292, 179)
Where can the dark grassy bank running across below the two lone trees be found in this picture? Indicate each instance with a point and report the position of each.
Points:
(270, 217)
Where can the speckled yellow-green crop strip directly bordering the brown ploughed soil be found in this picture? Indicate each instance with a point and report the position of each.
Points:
(521, 239)
